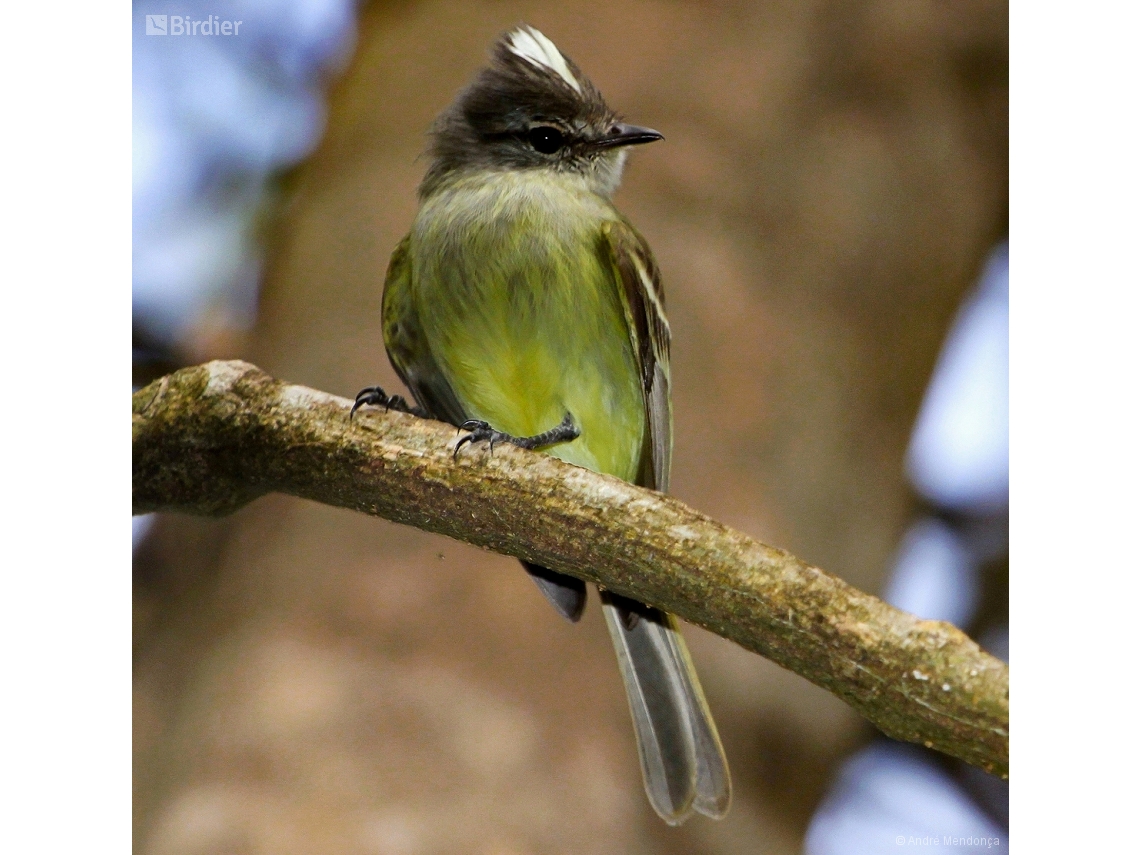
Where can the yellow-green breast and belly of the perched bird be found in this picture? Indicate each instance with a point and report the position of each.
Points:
(525, 317)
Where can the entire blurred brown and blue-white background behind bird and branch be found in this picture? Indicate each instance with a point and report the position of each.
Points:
(829, 211)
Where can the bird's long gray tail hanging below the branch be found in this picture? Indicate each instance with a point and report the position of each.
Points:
(682, 761)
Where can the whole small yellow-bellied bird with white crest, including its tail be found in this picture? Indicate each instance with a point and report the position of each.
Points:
(525, 308)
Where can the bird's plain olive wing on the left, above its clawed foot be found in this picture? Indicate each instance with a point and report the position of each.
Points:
(408, 346)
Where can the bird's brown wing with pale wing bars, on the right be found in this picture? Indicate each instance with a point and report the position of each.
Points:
(644, 300)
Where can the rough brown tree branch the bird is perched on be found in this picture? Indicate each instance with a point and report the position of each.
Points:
(209, 439)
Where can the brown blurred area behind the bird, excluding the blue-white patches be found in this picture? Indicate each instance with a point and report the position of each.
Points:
(315, 681)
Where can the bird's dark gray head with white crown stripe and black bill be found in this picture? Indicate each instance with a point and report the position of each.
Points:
(532, 109)
